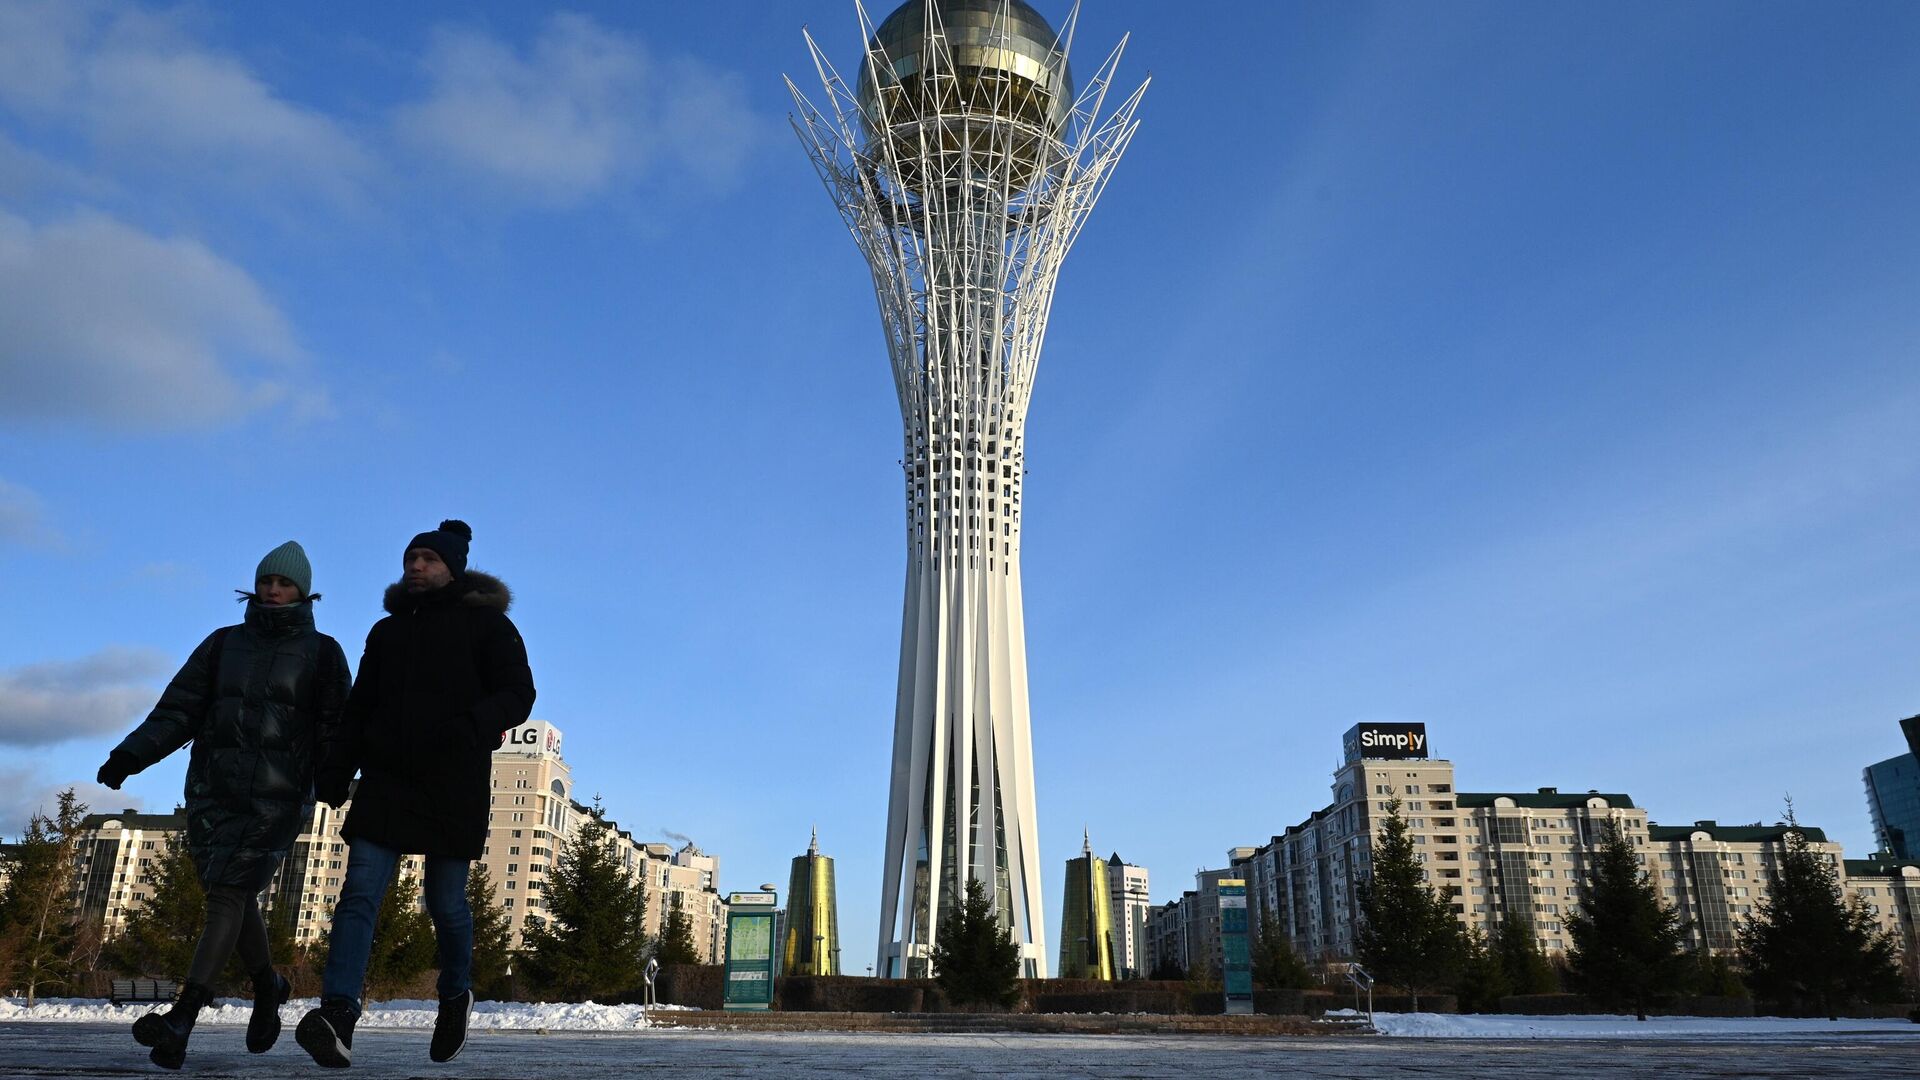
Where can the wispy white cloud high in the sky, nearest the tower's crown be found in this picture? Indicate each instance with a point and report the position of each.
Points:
(579, 112)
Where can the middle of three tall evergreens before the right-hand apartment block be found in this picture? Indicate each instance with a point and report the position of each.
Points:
(1627, 946)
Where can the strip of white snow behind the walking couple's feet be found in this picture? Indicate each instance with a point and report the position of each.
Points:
(492, 1016)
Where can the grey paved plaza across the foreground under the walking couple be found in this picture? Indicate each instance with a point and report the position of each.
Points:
(107, 1050)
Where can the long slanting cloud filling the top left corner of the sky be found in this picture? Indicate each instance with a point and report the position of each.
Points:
(137, 84)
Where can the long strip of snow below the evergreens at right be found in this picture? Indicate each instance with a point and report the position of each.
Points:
(1506, 1027)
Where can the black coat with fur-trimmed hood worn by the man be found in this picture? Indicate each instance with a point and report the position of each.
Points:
(443, 679)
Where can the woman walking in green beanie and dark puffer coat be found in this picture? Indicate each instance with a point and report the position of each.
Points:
(262, 706)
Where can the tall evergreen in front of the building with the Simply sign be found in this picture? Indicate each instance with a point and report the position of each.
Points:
(1408, 933)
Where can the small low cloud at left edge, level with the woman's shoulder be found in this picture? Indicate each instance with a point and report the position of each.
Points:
(78, 699)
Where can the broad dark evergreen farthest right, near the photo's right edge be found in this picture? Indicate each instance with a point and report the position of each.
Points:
(1806, 948)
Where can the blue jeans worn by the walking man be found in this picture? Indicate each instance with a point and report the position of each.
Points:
(370, 873)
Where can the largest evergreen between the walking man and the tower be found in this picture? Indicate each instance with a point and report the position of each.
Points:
(594, 937)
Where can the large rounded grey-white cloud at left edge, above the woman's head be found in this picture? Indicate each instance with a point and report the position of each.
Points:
(128, 330)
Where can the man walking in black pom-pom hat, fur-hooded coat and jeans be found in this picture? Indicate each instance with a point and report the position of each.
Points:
(443, 679)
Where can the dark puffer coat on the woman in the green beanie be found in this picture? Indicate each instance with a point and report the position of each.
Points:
(260, 718)
